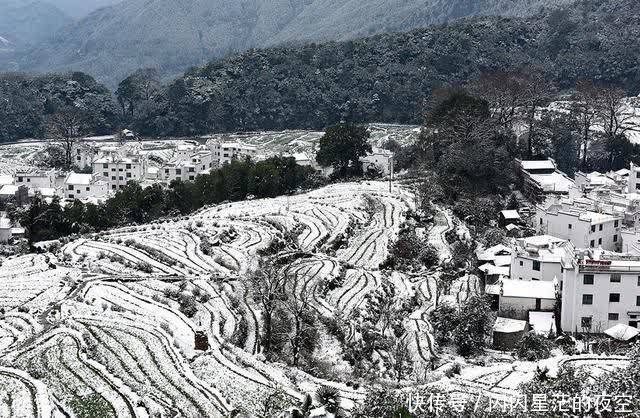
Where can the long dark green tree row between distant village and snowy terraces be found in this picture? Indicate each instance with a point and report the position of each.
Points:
(237, 180)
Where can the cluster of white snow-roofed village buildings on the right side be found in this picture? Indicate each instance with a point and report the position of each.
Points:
(580, 246)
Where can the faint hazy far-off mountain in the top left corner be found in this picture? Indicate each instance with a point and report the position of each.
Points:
(27, 22)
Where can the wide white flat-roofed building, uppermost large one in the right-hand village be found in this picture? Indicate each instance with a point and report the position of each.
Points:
(584, 228)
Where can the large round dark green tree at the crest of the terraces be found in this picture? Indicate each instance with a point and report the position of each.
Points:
(342, 146)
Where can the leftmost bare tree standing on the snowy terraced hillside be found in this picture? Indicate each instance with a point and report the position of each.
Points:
(268, 290)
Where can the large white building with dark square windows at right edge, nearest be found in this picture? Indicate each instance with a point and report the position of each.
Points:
(602, 291)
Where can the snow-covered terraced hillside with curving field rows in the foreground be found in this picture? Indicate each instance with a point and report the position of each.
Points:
(100, 324)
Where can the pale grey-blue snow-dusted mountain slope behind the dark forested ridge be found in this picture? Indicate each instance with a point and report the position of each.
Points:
(172, 35)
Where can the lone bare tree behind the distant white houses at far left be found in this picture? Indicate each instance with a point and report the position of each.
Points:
(67, 126)
